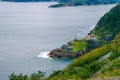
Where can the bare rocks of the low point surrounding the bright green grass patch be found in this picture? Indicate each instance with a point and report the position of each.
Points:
(66, 50)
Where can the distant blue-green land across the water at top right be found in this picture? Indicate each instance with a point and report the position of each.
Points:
(63, 3)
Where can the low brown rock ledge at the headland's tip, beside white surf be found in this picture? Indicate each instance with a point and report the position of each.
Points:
(60, 53)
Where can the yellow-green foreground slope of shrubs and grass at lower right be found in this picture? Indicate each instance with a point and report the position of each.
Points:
(86, 66)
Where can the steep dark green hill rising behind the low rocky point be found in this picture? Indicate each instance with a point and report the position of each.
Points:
(109, 24)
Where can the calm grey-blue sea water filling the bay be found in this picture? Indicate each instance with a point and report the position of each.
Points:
(28, 31)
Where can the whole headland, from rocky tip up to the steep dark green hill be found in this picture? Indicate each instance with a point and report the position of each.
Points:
(104, 32)
